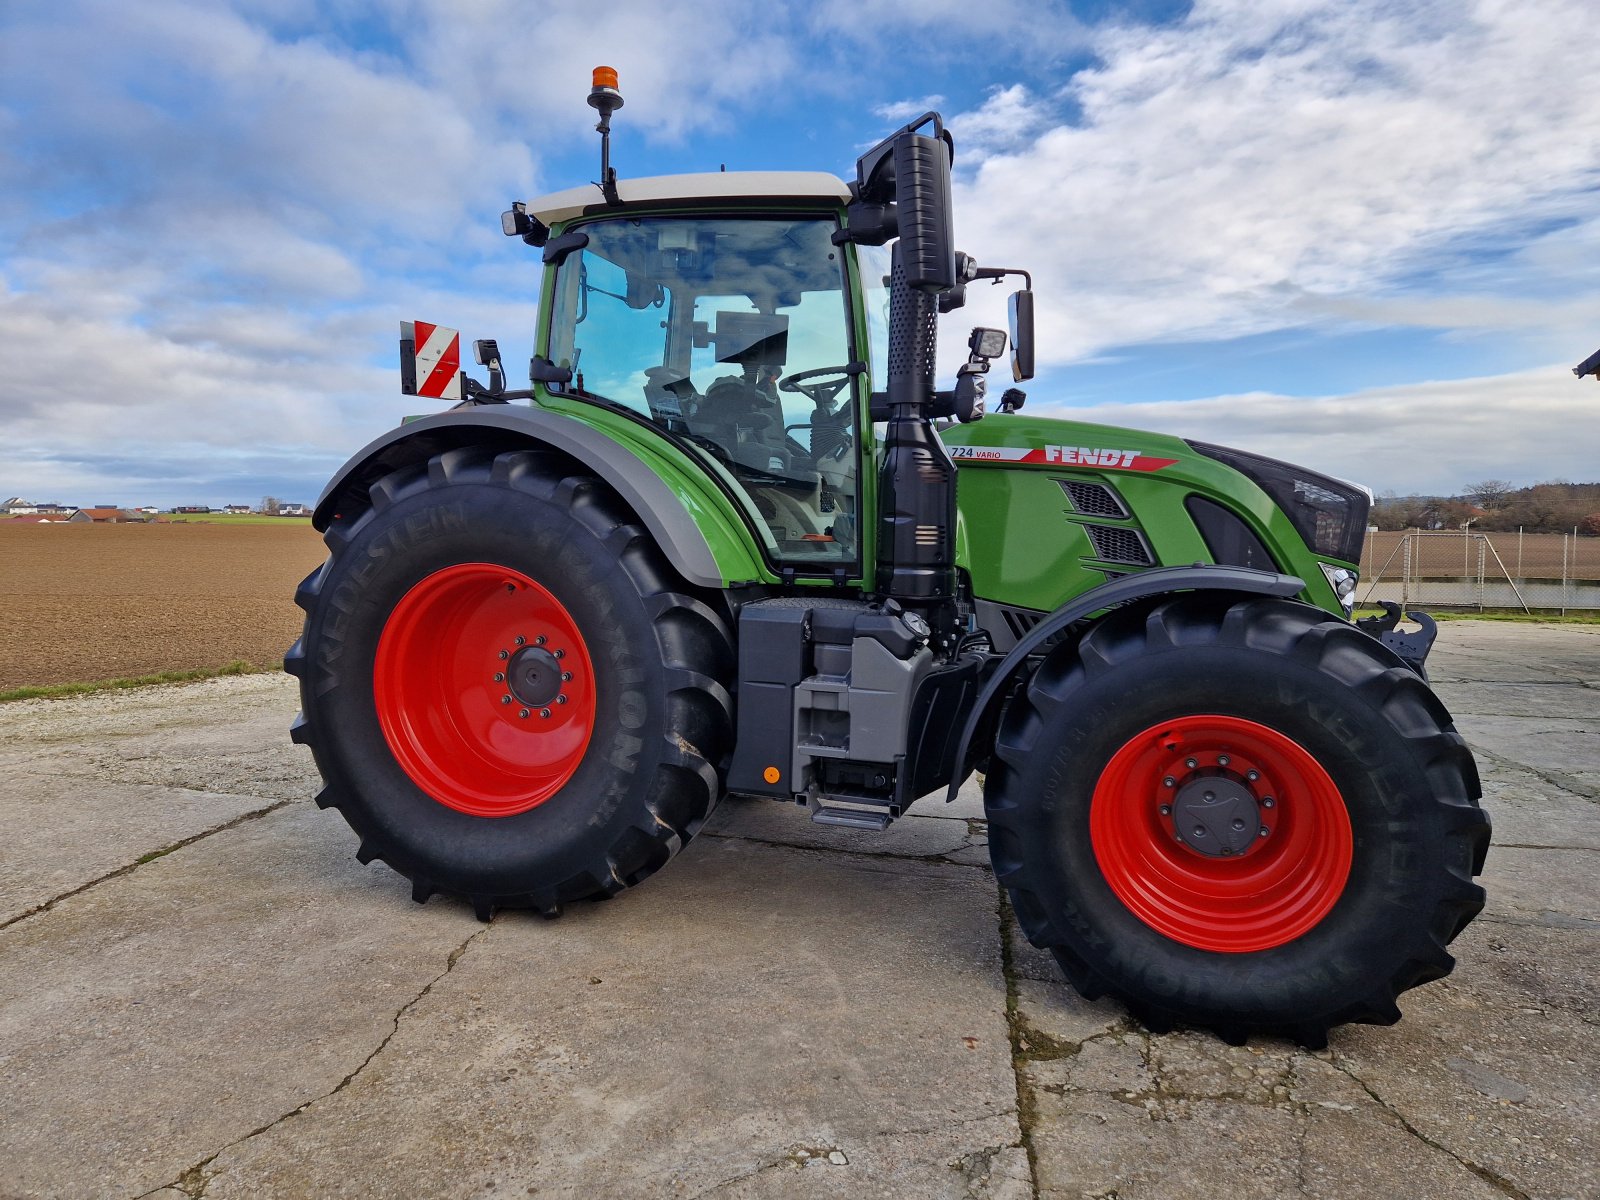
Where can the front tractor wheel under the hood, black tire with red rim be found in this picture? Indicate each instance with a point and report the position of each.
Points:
(1236, 814)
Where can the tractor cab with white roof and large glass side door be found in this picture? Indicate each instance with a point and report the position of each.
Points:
(734, 334)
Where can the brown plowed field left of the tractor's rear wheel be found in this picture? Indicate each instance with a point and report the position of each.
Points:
(95, 602)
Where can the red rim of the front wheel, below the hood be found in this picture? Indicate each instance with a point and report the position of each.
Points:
(1265, 895)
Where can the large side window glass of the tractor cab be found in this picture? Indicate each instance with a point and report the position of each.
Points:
(735, 337)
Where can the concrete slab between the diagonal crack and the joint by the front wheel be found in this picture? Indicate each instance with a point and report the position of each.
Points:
(617, 1054)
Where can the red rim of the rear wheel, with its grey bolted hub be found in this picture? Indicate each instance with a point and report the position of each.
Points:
(484, 689)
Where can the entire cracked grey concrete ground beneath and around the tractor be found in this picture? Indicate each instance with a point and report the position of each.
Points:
(202, 993)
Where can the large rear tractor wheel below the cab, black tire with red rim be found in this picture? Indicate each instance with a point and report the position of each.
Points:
(510, 695)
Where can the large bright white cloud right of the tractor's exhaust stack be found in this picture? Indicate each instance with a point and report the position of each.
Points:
(1231, 174)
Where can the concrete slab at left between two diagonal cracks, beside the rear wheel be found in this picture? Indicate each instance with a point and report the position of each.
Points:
(158, 1017)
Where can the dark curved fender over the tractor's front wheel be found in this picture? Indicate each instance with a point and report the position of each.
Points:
(1201, 578)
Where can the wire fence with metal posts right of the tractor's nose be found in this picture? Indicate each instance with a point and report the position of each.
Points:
(1458, 569)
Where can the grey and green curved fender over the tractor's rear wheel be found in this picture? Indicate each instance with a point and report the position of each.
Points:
(666, 506)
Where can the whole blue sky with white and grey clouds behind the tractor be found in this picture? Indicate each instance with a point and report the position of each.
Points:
(1362, 236)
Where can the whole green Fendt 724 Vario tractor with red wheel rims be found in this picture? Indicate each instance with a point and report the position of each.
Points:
(734, 538)
